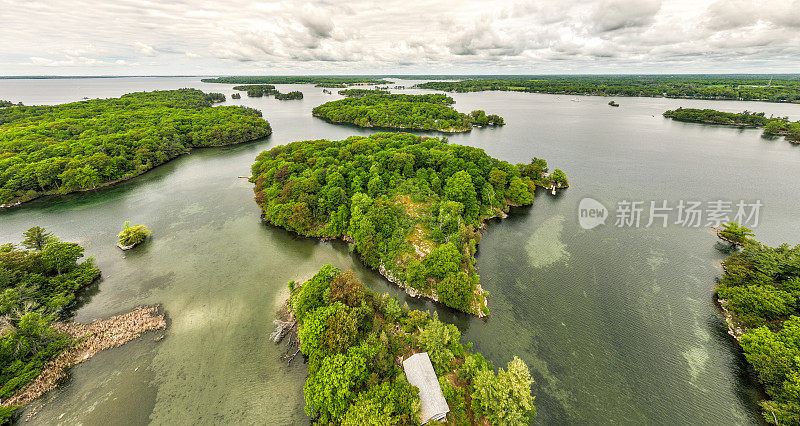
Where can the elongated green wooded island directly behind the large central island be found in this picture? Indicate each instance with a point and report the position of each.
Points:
(407, 112)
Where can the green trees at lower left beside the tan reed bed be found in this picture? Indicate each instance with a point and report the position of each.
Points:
(38, 281)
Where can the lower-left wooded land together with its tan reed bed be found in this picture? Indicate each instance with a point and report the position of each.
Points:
(39, 282)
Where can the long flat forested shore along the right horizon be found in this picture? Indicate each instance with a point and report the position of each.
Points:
(782, 88)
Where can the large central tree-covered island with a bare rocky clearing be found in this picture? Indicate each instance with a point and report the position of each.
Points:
(411, 206)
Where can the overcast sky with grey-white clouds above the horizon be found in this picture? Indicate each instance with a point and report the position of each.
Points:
(145, 37)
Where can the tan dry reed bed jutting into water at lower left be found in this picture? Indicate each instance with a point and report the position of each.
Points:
(92, 338)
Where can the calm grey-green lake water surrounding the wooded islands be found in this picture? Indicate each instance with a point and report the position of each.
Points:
(618, 325)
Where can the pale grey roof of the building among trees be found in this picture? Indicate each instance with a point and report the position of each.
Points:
(419, 372)
